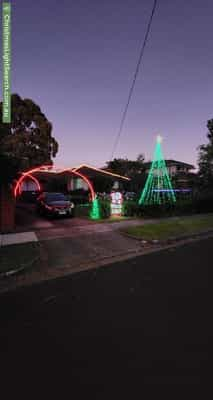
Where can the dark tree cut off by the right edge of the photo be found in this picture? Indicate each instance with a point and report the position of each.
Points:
(205, 160)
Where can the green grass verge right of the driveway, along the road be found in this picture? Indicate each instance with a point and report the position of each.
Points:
(172, 228)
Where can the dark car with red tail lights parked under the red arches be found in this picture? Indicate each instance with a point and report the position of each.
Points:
(54, 204)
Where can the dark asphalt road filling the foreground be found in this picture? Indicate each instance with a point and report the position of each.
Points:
(106, 333)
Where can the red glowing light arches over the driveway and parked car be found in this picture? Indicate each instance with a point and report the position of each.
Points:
(50, 169)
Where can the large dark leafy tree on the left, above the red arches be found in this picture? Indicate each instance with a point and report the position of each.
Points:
(28, 137)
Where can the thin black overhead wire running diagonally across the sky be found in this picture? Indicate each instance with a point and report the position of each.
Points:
(134, 80)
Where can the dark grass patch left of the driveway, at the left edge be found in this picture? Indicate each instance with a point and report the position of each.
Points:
(16, 256)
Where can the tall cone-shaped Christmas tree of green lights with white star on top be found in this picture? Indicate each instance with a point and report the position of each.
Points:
(158, 188)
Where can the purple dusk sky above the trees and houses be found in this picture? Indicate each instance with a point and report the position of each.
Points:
(77, 58)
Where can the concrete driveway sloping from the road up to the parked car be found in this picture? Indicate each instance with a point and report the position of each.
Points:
(71, 245)
